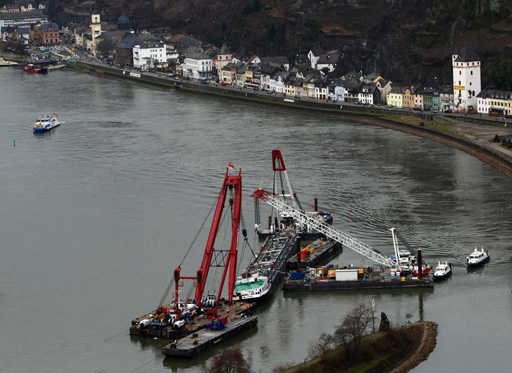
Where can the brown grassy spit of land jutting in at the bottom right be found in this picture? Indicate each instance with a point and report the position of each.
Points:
(397, 350)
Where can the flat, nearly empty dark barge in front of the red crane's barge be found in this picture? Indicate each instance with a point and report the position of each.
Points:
(206, 338)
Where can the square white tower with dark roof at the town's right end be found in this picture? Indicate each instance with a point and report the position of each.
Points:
(466, 79)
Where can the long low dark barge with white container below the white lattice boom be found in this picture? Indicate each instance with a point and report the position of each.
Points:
(376, 277)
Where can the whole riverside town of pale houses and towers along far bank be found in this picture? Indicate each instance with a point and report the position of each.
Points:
(316, 75)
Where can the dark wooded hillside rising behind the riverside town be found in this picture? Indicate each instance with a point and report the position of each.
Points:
(404, 40)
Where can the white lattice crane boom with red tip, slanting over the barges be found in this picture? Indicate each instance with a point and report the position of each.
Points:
(316, 223)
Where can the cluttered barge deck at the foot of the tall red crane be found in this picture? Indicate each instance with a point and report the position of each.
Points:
(198, 322)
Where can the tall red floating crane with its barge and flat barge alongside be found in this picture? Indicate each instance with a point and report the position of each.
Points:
(213, 318)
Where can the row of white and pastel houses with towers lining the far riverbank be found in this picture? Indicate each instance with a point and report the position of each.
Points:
(315, 75)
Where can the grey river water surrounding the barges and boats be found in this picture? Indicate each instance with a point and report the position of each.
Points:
(96, 214)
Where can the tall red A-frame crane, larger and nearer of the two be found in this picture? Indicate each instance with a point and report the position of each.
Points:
(215, 257)
